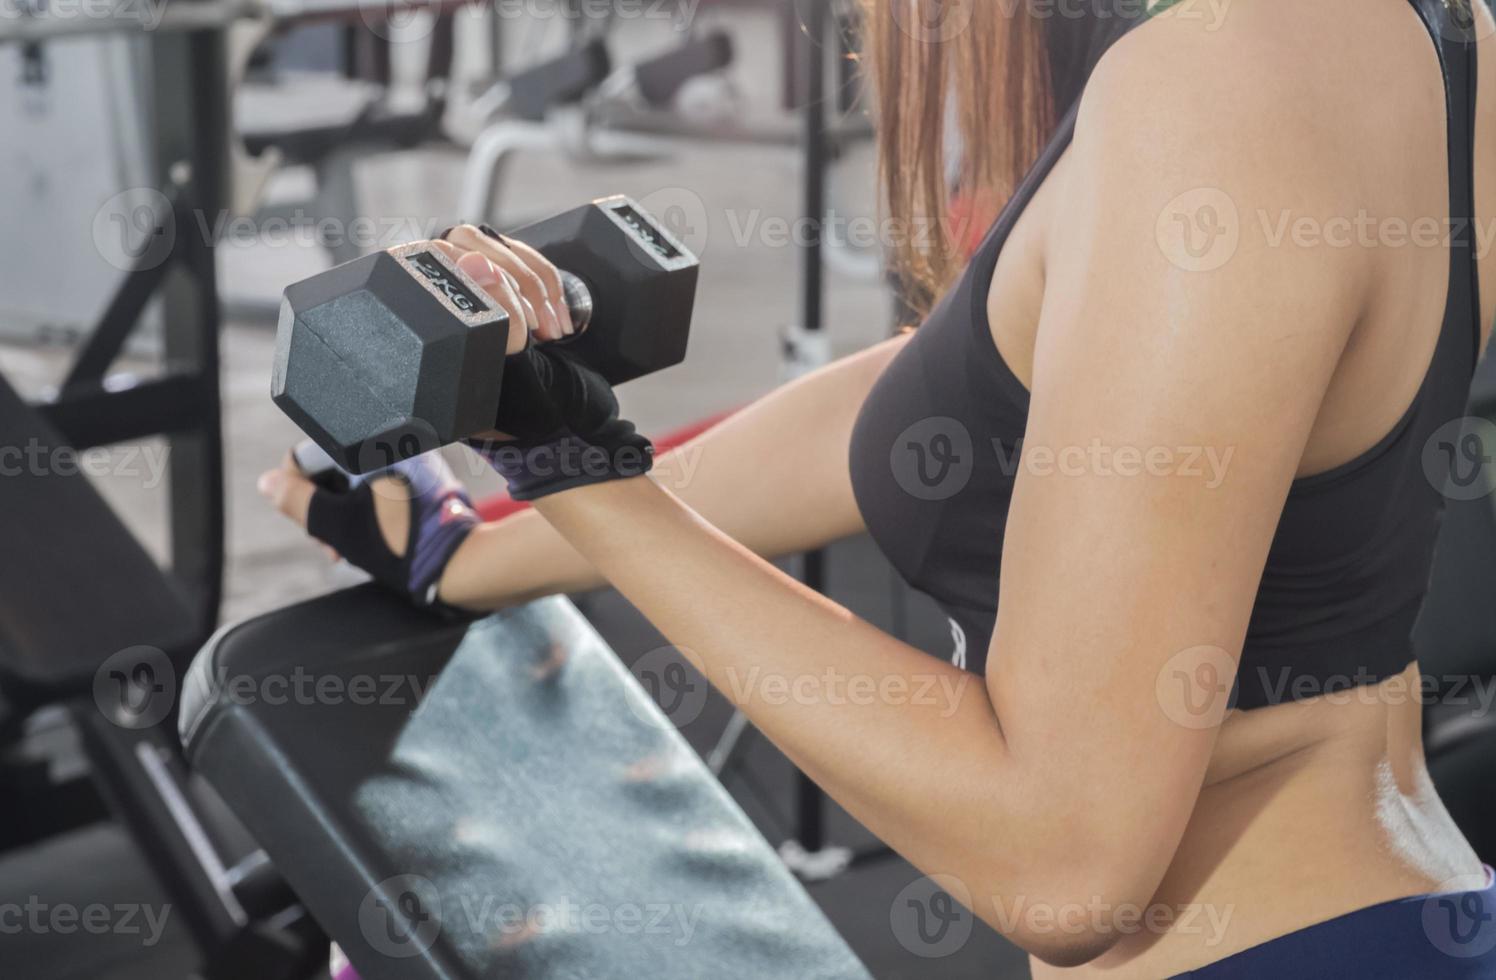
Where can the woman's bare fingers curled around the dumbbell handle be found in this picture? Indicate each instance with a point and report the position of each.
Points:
(517, 278)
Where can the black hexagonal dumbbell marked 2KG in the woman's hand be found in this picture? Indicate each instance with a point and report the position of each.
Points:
(399, 352)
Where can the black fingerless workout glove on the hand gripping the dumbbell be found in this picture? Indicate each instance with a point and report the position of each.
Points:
(559, 427)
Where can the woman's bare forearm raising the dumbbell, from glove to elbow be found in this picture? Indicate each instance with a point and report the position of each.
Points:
(906, 743)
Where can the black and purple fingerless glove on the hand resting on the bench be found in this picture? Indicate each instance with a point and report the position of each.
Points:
(441, 520)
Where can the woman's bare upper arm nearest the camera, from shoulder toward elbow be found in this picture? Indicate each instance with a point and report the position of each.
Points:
(1180, 364)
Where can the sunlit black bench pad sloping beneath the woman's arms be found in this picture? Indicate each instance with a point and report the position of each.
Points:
(497, 800)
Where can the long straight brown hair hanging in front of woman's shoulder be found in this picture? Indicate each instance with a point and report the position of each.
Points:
(987, 56)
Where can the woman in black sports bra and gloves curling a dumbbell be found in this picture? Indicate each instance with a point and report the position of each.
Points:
(1223, 363)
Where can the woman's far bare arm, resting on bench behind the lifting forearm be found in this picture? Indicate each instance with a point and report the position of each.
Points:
(773, 477)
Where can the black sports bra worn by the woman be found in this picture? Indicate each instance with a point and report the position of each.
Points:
(1350, 563)
